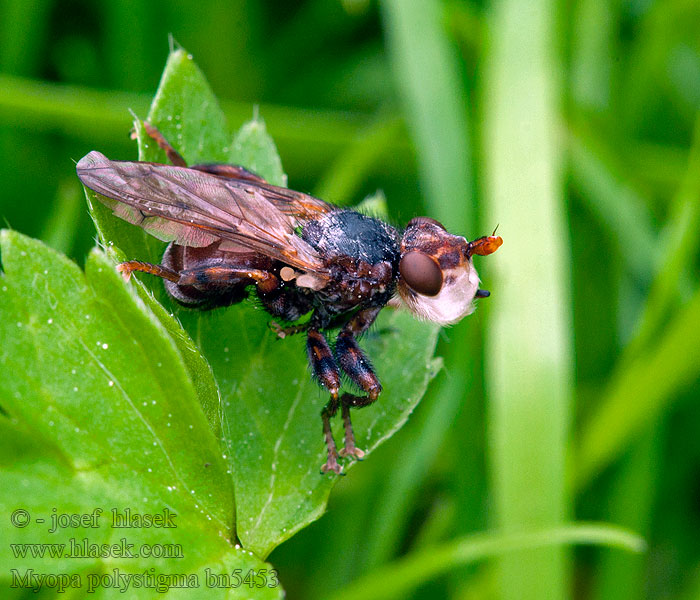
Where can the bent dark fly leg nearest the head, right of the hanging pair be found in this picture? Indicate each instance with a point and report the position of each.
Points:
(357, 366)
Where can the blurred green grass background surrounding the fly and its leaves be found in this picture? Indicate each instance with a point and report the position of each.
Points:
(571, 394)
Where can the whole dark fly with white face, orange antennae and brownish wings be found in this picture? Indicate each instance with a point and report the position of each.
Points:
(232, 233)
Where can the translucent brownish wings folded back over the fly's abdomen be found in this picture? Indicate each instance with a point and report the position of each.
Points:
(193, 208)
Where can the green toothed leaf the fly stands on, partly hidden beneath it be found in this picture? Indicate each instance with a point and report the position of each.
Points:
(271, 408)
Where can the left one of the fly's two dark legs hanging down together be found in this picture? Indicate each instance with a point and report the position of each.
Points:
(326, 370)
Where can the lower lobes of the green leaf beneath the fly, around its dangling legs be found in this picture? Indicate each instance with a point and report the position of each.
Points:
(272, 411)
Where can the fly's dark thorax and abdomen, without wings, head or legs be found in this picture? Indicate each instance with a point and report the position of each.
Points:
(361, 253)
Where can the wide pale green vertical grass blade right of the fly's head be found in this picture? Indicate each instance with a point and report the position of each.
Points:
(529, 362)
